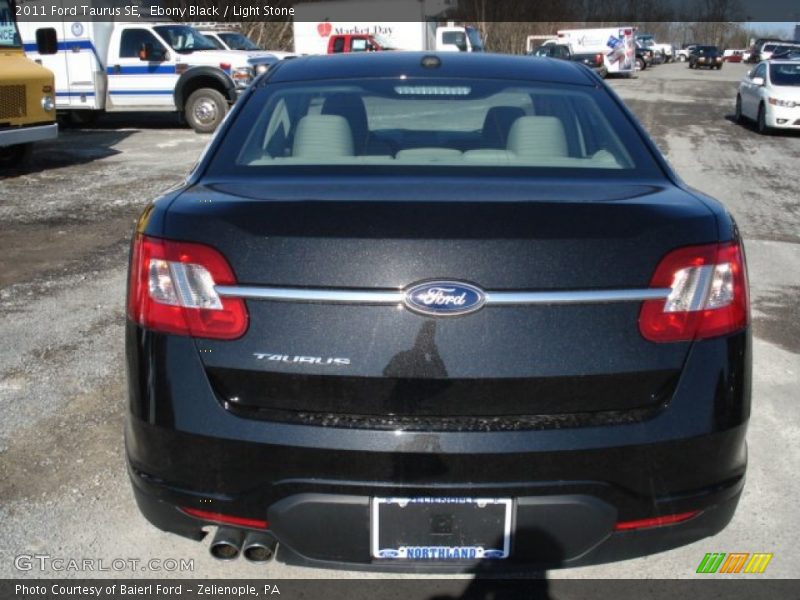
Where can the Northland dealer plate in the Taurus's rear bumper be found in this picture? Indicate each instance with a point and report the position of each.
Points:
(441, 529)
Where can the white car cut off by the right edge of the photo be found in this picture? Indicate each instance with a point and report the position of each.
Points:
(770, 95)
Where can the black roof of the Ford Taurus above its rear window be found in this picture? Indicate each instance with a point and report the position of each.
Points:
(467, 65)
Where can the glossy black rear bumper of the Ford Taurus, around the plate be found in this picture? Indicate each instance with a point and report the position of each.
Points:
(314, 484)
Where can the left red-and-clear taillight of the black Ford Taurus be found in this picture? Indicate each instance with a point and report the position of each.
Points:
(172, 289)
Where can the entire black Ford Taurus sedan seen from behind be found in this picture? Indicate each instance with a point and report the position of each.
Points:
(436, 312)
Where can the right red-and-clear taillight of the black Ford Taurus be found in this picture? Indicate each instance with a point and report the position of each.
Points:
(708, 298)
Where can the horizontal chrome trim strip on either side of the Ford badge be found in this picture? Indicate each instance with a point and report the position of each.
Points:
(391, 297)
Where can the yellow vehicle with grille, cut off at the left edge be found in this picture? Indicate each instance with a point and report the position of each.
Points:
(27, 92)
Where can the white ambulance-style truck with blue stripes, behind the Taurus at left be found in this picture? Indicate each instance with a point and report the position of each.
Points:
(142, 66)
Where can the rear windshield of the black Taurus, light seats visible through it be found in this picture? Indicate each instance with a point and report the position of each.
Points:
(448, 123)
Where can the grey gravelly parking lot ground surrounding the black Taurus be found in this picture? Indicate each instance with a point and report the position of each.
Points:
(66, 221)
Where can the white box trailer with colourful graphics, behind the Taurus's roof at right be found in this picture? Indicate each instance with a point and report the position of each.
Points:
(616, 44)
